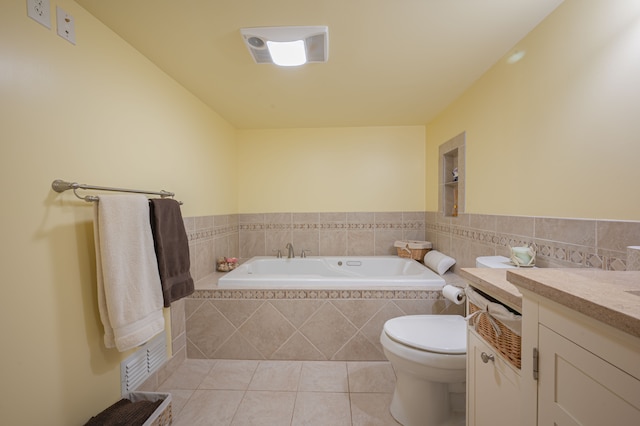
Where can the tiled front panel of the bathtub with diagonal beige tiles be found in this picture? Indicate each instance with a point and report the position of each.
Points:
(299, 324)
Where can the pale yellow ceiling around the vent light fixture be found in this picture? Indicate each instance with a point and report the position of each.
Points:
(391, 62)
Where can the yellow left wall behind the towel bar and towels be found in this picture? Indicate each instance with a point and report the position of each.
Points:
(97, 113)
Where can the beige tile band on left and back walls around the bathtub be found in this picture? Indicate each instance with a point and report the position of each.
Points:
(322, 234)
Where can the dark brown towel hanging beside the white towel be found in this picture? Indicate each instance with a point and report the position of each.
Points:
(172, 249)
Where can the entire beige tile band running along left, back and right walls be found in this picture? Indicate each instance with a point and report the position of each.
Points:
(561, 242)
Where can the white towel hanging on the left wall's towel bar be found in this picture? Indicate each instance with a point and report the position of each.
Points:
(129, 289)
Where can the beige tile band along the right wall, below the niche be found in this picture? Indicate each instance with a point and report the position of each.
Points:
(562, 243)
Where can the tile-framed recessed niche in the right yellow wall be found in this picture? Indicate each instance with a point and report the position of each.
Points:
(451, 188)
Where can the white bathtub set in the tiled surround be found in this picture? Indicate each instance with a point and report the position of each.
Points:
(346, 272)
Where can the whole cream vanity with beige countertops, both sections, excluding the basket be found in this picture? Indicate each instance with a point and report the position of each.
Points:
(580, 350)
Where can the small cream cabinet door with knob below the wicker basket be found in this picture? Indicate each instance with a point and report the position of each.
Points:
(493, 387)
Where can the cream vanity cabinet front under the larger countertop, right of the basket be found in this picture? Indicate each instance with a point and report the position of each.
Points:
(588, 372)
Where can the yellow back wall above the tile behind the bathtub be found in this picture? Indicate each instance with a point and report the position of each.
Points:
(331, 169)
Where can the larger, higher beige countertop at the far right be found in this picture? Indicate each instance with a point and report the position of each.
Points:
(607, 296)
